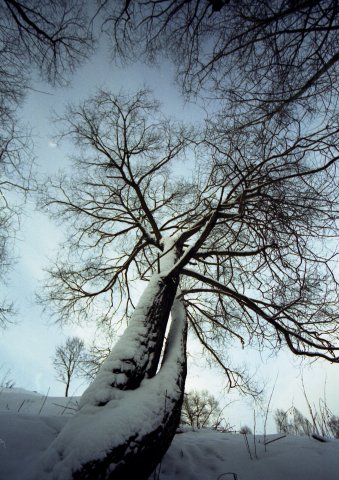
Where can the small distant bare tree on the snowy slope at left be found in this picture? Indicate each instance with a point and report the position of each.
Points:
(68, 360)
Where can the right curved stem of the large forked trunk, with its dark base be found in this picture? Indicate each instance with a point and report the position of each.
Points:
(149, 418)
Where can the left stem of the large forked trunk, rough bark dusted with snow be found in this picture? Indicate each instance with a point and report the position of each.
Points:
(136, 355)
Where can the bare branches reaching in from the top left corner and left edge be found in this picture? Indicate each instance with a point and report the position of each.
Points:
(51, 38)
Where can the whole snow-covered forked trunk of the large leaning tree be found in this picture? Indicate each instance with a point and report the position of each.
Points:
(128, 416)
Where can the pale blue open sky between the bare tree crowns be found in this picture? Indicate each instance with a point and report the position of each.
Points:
(28, 346)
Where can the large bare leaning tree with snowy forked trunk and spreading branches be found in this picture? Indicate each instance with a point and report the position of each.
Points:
(242, 247)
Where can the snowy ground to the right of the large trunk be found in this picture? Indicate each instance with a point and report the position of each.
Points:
(207, 454)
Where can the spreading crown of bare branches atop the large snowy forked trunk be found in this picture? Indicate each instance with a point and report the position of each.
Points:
(251, 224)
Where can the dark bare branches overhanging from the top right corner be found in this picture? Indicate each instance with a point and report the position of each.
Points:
(271, 57)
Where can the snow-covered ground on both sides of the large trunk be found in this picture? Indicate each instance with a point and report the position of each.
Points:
(30, 421)
